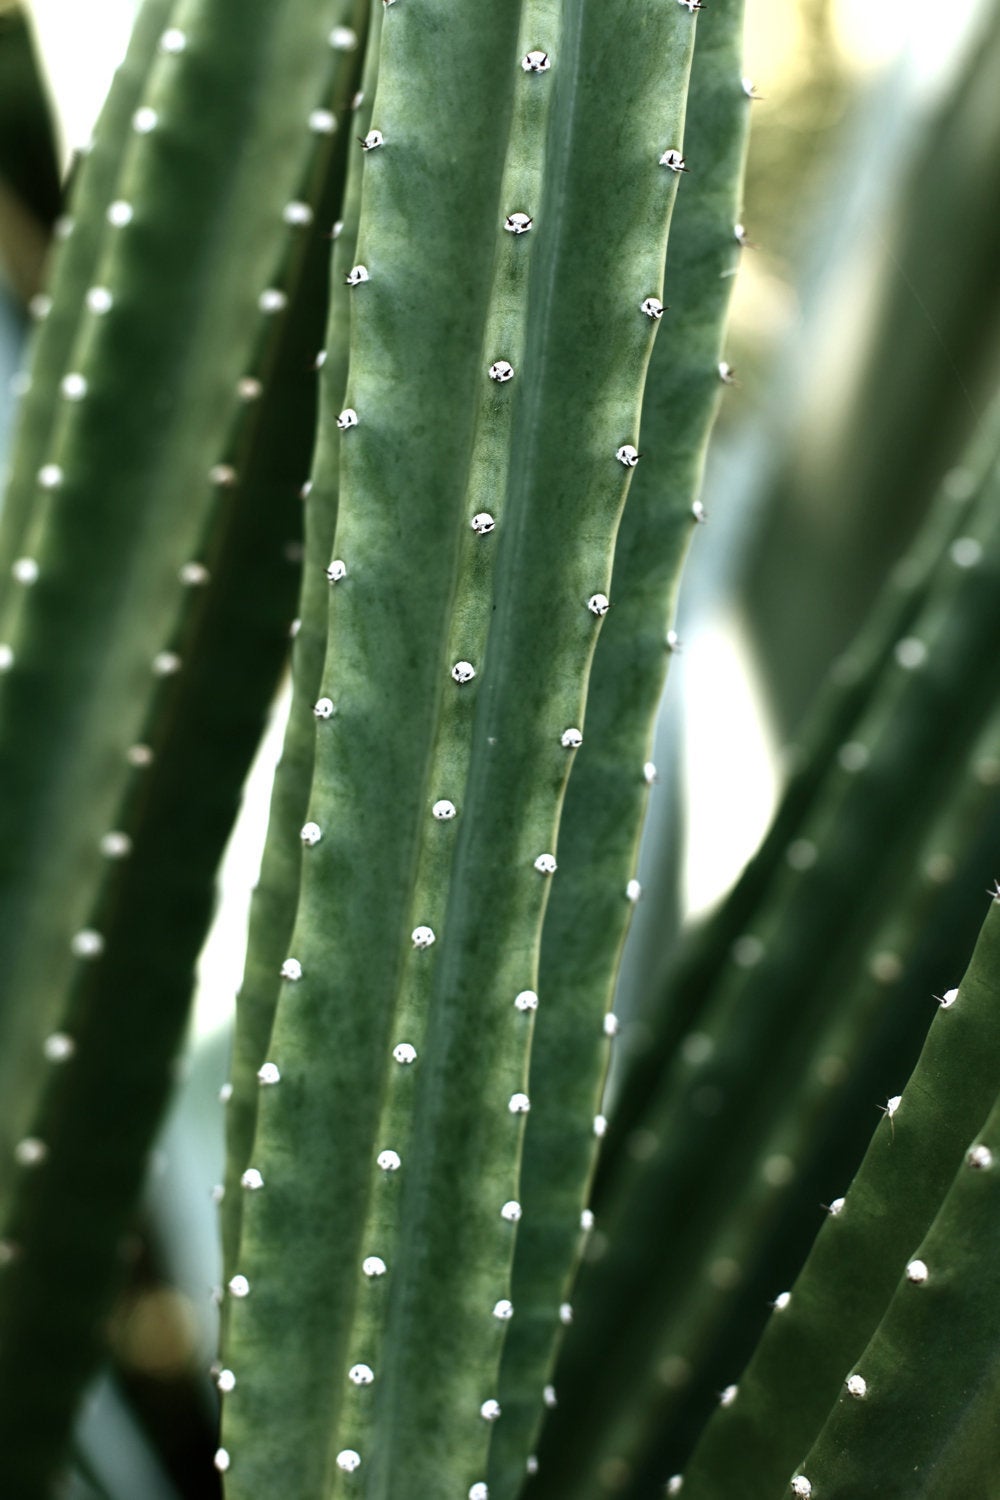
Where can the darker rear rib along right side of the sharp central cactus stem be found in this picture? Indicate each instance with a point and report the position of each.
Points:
(588, 914)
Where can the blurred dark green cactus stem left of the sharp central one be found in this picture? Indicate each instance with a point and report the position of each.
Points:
(151, 844)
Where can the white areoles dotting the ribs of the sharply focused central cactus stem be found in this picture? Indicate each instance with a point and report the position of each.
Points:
(424, 937)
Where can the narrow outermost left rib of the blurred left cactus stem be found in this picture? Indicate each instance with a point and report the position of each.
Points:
(62, 307)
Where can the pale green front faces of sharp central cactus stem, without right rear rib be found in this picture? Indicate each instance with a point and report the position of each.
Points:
(476, 626)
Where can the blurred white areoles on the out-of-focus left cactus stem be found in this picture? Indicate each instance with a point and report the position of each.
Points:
(89, 944)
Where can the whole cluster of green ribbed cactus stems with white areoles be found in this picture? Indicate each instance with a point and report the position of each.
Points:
(418, 311)
